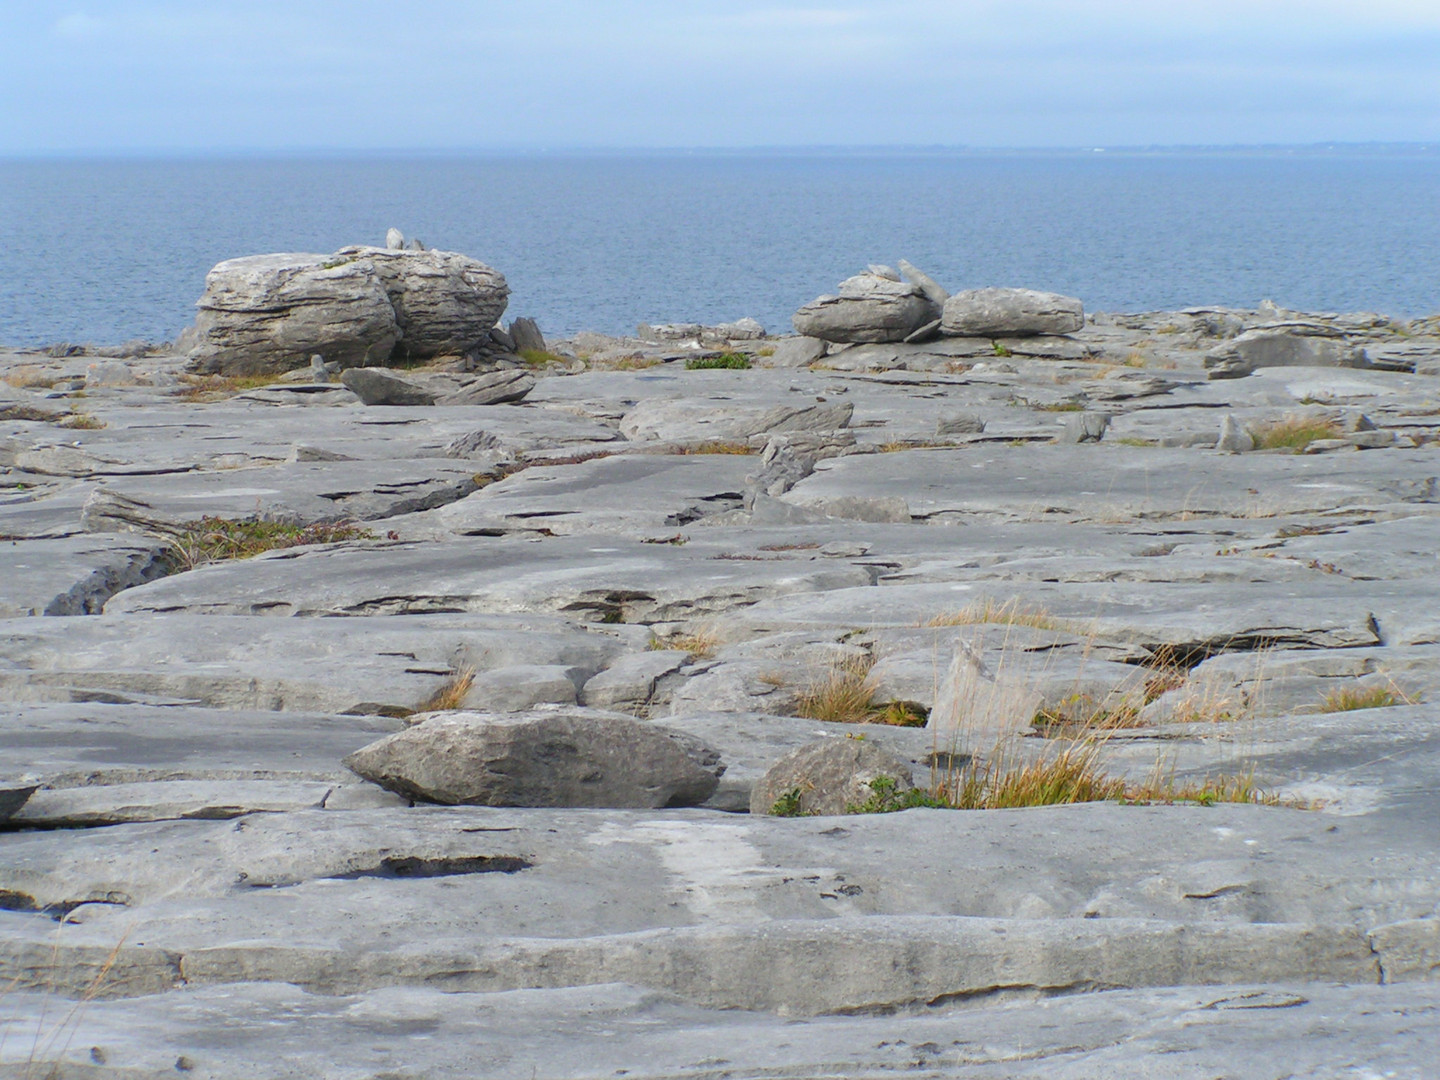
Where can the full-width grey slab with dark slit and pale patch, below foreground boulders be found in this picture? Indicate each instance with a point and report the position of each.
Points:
(1120, 896)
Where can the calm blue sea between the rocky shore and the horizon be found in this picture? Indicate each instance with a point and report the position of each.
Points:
(109, 251)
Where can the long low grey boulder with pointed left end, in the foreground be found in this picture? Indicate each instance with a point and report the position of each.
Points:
(542, 760)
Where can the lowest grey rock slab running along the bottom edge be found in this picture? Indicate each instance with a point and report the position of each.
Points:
(271, 1032)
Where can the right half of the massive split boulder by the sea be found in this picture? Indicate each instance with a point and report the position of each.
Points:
(446, 305)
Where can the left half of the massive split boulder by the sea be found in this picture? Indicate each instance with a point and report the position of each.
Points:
(270, 313)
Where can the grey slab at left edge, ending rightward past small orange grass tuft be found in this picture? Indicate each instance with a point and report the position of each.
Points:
(279, 665)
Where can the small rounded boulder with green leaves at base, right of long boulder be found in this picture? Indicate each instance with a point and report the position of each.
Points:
(827, 777)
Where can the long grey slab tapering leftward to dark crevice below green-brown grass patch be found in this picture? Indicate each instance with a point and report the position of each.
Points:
(593, 578)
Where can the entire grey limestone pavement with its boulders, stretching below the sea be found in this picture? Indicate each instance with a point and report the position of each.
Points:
(1184, 558)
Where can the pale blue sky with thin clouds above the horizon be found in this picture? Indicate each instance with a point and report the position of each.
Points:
(142, 77)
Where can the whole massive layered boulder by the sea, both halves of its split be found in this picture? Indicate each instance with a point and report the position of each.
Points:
(361, 307)
